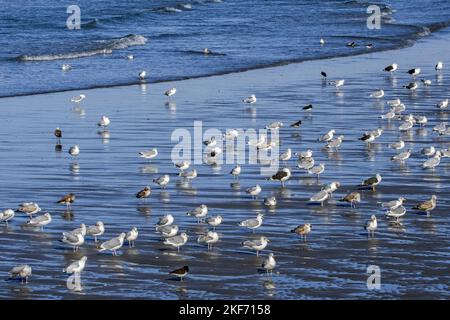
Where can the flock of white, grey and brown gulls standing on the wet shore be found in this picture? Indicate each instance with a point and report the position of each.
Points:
(169, 231)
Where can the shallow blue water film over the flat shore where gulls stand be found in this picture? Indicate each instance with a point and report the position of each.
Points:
(331, 264)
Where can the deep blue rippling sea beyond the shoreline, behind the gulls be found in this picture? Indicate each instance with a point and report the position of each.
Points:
(167, 36)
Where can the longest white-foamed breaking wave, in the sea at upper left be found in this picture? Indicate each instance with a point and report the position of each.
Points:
(107, 48)
